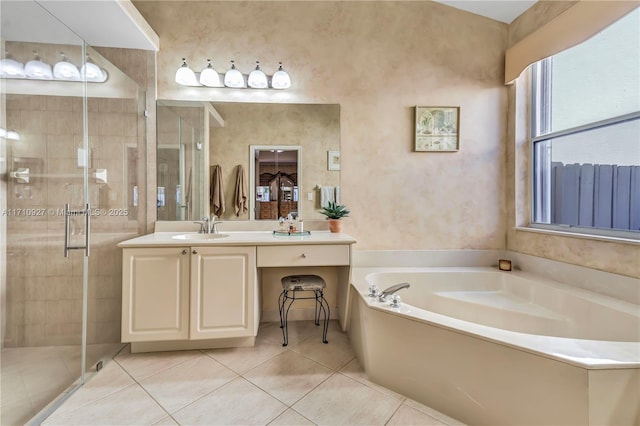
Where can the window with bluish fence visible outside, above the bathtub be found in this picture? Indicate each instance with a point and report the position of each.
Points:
(585, 131)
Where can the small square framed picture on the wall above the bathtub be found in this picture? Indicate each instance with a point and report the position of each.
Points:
(437, 129)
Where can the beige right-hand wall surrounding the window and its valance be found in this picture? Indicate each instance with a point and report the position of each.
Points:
(608, 256)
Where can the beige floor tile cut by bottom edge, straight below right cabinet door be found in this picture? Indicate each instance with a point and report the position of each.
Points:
(236, 403)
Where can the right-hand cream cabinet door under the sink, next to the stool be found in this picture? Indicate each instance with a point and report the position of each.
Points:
(223, 292)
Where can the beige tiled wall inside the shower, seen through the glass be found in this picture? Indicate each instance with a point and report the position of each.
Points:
(44, 289)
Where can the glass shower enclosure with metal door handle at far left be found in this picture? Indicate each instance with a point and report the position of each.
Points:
(73, 167)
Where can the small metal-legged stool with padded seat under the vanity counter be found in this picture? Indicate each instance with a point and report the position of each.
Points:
(292, 285)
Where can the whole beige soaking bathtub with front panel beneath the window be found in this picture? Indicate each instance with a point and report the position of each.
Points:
(491, 347)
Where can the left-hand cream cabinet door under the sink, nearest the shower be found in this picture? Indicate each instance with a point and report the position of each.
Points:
(155, 294)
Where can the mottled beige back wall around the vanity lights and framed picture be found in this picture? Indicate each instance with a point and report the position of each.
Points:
(377, 60)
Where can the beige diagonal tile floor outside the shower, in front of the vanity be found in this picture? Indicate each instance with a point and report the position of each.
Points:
(305, 383)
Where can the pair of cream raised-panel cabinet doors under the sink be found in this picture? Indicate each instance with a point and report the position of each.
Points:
(188, 293)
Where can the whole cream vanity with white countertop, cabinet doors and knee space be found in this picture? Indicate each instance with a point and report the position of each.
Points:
(193, 291)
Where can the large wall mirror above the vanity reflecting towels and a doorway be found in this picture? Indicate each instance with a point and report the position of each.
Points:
(280, 151)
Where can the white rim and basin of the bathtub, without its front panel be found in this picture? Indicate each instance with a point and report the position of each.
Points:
(519, 320)
